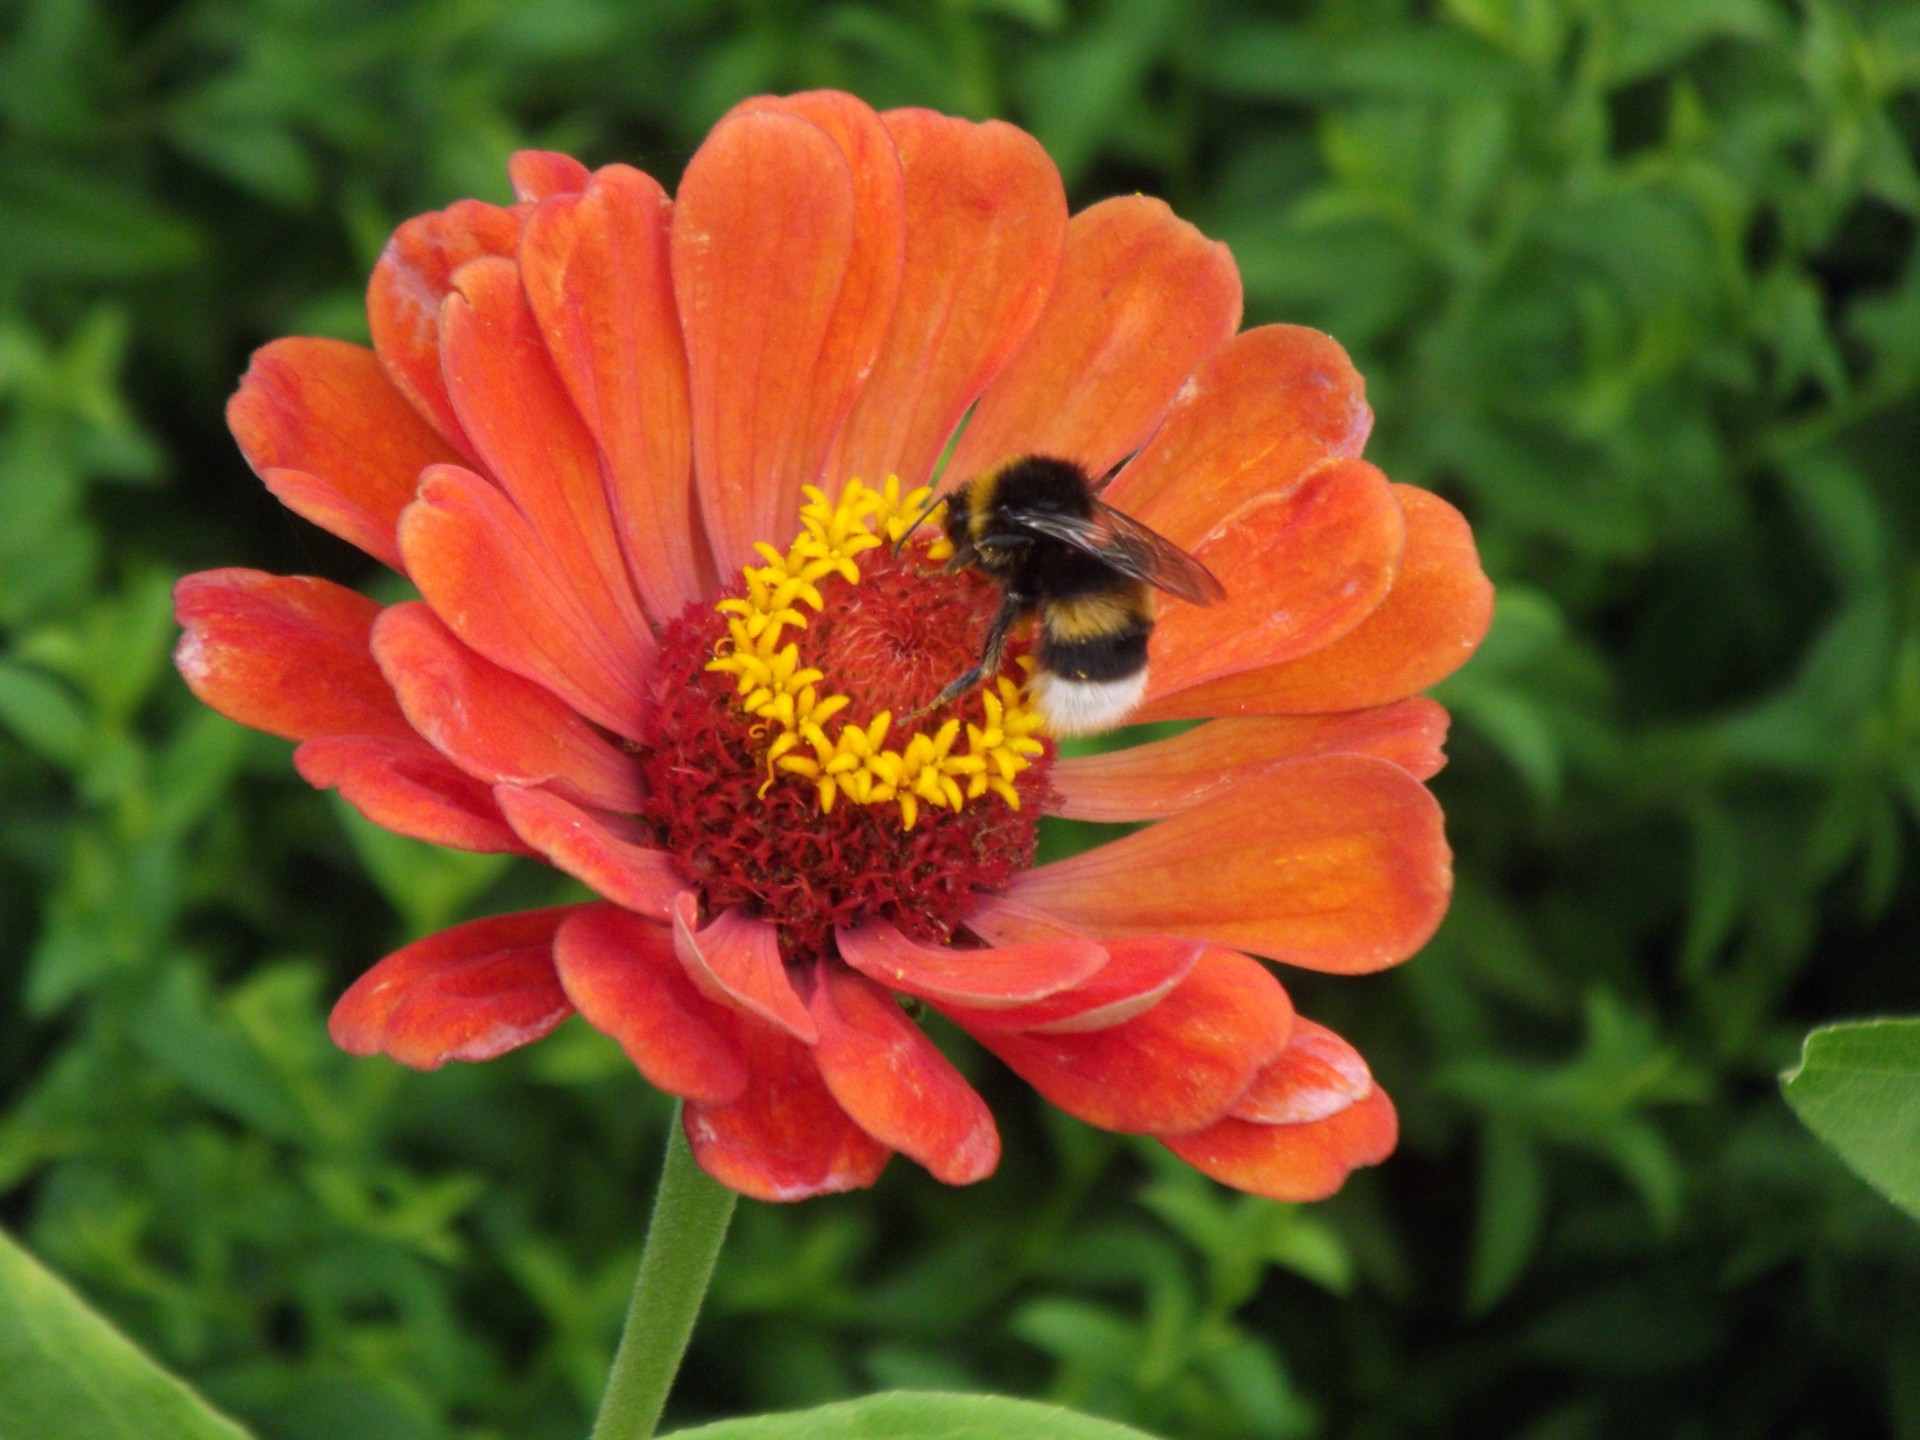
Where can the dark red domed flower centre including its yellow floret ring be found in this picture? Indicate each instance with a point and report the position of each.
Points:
(788, 769)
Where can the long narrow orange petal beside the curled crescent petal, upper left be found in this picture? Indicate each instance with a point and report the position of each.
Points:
(529, 433)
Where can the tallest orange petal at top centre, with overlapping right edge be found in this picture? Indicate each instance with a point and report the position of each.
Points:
(767, 241)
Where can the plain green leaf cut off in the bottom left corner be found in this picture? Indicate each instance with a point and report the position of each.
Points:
(70, 1376)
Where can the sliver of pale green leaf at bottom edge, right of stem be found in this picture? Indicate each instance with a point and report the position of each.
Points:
(909, 1416)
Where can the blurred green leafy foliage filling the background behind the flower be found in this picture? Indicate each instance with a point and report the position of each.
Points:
(1637, 281)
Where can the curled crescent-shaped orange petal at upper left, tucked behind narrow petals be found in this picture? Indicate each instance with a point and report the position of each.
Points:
(414, 276)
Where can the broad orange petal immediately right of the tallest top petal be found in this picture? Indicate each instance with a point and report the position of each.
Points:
(986, 224)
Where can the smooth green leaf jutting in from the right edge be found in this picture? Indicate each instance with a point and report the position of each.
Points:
(1858, 1088)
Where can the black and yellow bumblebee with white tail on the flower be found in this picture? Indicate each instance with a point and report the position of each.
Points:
(1090, 573)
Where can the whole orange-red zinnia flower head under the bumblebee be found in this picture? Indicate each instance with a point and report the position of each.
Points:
(646, 462)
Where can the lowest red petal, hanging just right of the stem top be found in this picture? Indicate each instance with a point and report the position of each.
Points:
(786, 1138)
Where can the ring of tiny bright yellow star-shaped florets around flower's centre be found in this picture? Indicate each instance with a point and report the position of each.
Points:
(780, 690)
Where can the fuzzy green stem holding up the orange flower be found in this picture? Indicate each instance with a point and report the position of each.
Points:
(690, 1218)
